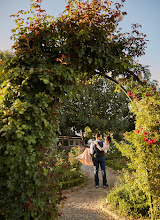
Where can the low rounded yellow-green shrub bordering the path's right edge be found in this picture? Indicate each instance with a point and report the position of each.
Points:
(127, 198)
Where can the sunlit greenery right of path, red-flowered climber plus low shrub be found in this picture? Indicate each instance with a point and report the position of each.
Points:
(141, 146)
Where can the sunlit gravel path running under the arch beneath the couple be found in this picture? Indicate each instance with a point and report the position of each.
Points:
(85, 202)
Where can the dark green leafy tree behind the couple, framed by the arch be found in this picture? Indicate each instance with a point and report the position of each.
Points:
(97, 105)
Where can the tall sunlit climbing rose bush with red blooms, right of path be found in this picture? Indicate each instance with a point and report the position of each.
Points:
(141, 146)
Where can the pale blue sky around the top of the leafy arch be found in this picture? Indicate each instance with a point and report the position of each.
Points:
(144, 12)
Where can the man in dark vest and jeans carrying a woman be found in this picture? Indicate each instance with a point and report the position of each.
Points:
(97, 150)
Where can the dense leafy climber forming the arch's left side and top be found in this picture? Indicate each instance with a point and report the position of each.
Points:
(50, 54)
